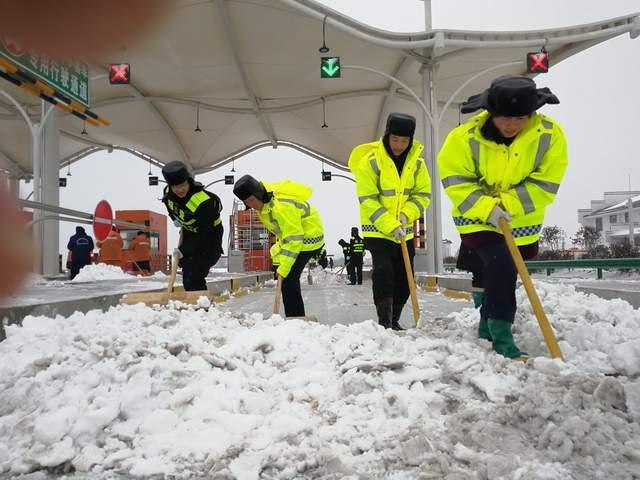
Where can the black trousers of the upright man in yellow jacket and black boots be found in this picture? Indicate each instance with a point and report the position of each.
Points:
(389, 274)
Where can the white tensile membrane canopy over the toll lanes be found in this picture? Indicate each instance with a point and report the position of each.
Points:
(247, 74)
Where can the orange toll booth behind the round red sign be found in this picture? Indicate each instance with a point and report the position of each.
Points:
(155, 226)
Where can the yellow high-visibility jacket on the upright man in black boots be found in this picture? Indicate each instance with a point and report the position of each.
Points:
(383, 194)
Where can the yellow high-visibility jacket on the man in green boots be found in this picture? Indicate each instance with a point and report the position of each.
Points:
(523, 178)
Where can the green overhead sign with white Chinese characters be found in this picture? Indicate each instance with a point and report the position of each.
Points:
(69, 77)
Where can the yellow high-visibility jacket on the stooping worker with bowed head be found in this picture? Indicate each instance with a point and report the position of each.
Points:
(293, 221)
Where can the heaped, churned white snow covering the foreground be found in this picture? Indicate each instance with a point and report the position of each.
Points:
(190, 393)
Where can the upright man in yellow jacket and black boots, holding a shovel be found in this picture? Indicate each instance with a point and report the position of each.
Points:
(394, 190)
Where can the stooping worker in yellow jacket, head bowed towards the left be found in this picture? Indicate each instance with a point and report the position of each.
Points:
(285, 212)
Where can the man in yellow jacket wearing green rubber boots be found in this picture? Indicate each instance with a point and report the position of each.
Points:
(507, 162)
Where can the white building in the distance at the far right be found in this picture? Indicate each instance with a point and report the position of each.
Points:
(611, 216)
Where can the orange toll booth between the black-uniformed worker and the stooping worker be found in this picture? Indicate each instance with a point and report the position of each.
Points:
(249, 239)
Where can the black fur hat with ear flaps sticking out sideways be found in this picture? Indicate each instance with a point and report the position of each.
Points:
(510, 96)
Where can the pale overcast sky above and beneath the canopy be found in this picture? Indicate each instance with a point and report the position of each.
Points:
(598, 111)
